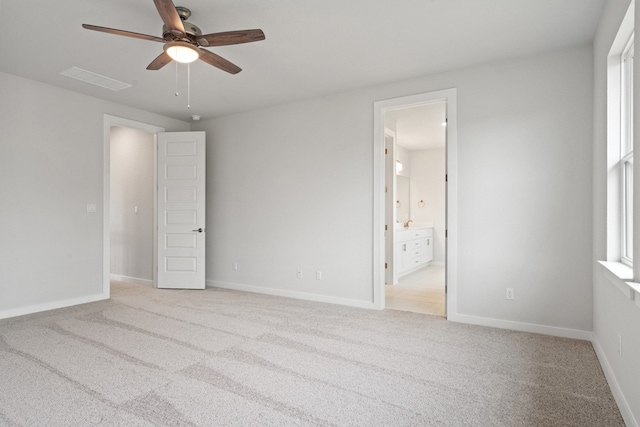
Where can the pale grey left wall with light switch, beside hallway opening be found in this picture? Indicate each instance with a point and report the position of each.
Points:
(51, 167)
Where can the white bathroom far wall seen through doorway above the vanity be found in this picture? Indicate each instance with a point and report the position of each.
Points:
(428, 184)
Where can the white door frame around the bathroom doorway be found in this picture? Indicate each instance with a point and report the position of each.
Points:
(451, 205)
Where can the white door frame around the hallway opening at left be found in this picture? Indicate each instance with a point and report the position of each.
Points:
(108, 122)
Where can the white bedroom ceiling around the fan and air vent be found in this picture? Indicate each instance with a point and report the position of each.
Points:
(312, 48)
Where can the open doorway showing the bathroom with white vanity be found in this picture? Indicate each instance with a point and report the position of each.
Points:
(418, 187)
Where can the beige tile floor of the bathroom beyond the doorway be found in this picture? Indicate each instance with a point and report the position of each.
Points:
(420, 292)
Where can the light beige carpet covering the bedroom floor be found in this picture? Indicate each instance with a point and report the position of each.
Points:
(217, 357)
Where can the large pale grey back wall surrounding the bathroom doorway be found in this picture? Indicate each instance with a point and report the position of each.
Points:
(291, 187)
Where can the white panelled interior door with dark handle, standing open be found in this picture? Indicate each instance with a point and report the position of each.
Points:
(181, 210)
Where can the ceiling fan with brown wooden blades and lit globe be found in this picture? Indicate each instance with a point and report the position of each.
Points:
(184, 41)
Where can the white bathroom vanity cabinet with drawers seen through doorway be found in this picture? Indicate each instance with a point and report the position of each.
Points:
(414, 249)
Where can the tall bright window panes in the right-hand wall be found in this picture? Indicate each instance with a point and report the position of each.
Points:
(625, 164)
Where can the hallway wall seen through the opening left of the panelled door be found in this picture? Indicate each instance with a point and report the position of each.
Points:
(132, 179)
